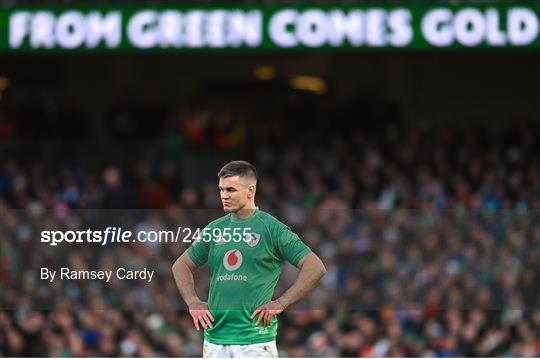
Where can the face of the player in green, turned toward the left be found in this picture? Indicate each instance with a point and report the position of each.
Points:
(235, 192)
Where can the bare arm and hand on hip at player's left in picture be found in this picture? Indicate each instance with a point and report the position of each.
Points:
(183, 270)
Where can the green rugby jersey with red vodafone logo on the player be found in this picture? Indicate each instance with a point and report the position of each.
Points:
(243, 274)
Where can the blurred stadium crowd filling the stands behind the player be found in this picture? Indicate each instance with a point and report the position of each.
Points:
(431, 240)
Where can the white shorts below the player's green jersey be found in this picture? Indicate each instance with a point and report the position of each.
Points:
(259, 350)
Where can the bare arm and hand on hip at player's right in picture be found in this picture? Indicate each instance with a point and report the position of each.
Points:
(311, 271)
